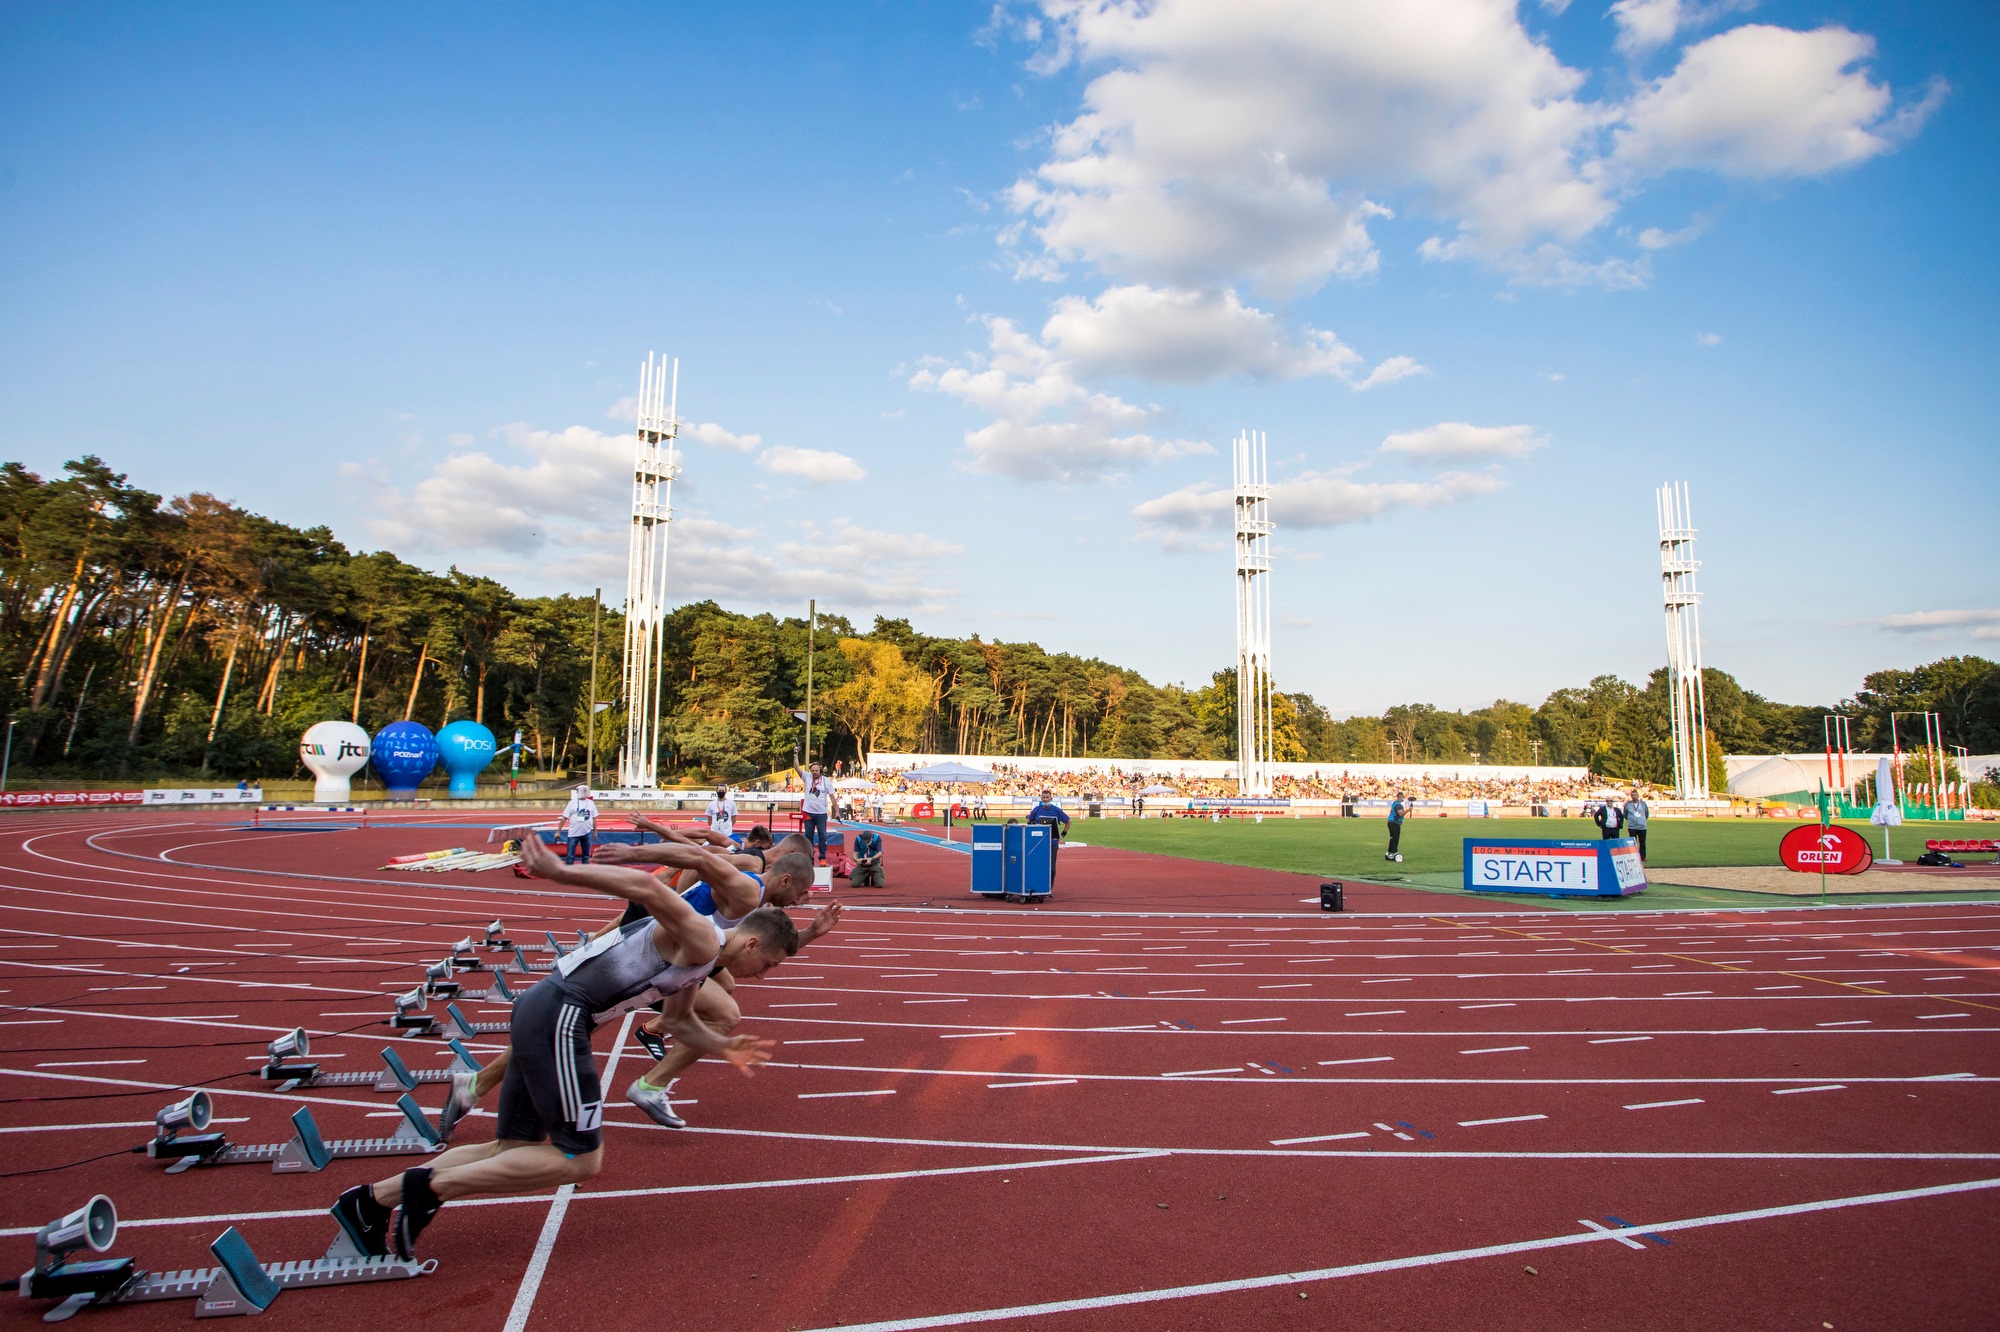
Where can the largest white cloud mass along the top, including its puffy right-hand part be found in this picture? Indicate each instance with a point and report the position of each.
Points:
(1265, 143)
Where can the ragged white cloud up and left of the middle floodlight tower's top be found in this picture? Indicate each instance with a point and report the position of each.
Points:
(1047, 427)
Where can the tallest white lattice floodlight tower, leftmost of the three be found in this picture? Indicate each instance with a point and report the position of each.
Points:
(655, 467)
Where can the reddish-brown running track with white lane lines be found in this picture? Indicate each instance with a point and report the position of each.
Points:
(1063, 1119)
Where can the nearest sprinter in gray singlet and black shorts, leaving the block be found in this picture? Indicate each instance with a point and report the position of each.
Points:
(551, 1087)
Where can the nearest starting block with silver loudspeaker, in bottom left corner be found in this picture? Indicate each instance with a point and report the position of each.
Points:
(241, 1285)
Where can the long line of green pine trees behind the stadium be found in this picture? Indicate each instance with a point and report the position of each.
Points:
(191, 637)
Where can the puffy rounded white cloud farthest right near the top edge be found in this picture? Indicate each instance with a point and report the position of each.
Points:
(1761, 101)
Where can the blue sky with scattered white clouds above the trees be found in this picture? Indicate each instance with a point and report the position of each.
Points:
(969, 305)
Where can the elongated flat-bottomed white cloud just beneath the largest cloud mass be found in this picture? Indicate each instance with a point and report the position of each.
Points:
(1199, 335)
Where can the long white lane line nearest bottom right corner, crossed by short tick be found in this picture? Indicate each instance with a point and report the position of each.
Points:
(1389, 1265)
